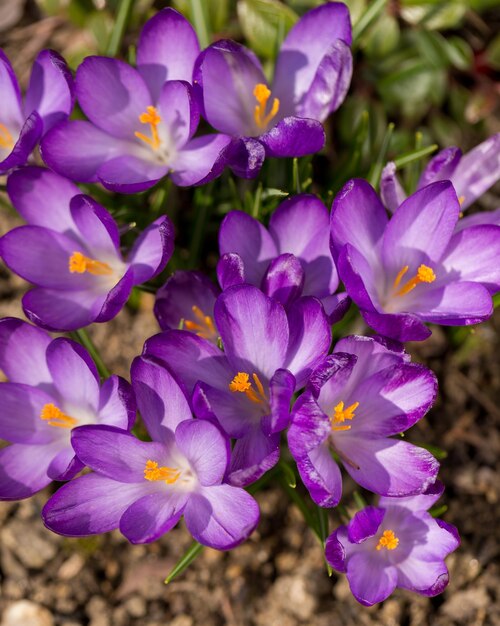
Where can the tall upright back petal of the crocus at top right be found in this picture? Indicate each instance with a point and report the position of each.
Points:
(303, 52)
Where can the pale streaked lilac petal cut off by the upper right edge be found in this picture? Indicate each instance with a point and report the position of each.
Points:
(477, 171)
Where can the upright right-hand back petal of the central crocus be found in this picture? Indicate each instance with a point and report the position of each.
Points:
(310, 338)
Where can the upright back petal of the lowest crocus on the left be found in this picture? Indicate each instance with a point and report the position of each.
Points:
(160, 400)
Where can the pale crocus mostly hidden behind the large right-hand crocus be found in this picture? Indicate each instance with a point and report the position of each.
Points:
(471, 174)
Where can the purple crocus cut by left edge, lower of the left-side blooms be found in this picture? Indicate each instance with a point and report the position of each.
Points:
(53, 390)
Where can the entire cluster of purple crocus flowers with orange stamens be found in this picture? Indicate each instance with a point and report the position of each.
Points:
(238, 364)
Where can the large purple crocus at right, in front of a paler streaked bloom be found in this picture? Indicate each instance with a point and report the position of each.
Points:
(414, 268)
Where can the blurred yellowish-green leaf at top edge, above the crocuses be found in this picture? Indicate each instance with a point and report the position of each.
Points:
(265, 24)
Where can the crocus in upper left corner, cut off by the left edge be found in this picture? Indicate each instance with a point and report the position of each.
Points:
(49, 100)
